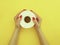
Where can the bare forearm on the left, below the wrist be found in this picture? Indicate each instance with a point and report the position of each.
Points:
(14, 38)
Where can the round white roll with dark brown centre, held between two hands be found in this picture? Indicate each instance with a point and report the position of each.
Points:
(26, 21)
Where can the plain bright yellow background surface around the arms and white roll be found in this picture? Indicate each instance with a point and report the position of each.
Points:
(48, 10)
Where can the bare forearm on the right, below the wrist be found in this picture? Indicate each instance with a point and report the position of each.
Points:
(41, 37)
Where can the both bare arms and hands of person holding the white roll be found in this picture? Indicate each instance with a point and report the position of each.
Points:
(17, 29)
